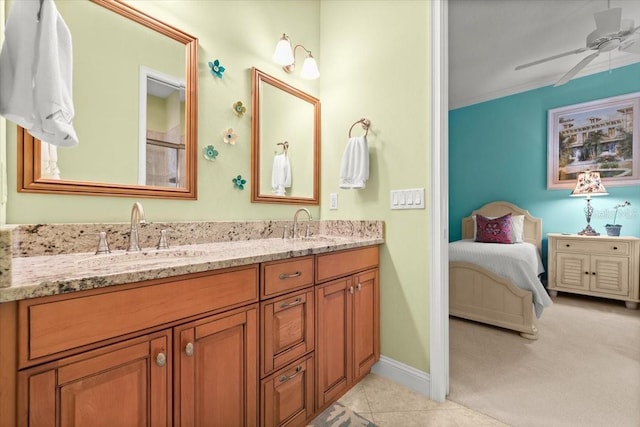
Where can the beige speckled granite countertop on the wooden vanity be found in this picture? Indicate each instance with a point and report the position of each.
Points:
(43, 275)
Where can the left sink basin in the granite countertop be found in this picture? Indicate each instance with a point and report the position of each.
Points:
(140, 258)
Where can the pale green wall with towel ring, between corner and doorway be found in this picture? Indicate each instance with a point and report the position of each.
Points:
(381, 72)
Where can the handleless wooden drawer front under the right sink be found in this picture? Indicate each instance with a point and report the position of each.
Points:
(338, 264)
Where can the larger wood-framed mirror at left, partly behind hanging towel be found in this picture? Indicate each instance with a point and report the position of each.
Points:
(135, 98)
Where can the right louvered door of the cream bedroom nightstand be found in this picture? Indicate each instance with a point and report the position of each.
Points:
(610, 275)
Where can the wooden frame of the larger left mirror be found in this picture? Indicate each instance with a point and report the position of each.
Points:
(29, 177)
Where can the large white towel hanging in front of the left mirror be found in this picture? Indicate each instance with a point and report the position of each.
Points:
(36, 72)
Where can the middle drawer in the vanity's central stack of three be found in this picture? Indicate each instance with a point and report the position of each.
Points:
(287, 329)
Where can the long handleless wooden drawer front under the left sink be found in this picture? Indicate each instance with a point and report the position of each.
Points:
(54, 324)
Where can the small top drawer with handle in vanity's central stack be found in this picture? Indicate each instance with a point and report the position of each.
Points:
(283, 276)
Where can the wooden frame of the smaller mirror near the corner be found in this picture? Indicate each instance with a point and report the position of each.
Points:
(259, 195)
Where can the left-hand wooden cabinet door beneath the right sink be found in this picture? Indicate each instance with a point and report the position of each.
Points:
(334, 339)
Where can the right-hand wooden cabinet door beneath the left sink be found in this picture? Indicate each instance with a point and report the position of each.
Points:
(217, 370)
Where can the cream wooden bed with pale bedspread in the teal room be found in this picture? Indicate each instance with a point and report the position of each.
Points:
(480, 294)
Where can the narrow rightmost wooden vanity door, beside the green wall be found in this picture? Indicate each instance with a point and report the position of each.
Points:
(366, 322)
